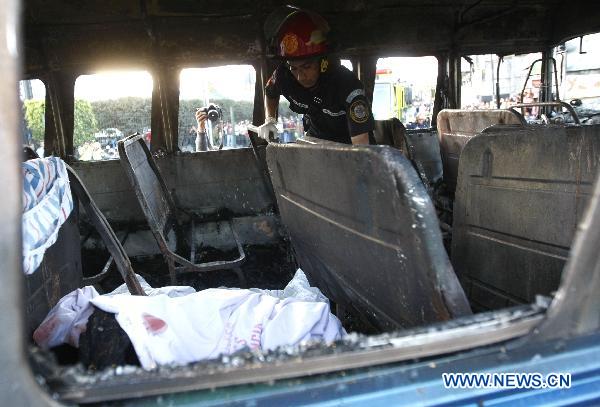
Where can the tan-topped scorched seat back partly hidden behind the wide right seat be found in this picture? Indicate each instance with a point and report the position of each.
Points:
(457, 127)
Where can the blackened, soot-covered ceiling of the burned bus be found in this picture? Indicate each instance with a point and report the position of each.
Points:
(167, 32)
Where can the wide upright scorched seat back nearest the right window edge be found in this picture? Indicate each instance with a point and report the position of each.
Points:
(521, 193)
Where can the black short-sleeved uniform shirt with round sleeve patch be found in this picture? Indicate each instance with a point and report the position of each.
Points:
(335, 109)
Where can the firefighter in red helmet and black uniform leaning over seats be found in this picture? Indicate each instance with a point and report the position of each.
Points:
(328, 95)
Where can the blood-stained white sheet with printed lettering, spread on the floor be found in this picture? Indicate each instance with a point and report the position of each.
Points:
(202, 325)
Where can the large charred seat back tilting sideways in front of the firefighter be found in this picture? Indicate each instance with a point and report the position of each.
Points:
(365, 232)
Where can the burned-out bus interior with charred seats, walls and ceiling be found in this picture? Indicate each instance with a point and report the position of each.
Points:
(462, 233)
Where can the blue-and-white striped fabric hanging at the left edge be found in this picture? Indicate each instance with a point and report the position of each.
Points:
(47, 203)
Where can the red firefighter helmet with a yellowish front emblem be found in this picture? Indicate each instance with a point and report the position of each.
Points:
(302, 34)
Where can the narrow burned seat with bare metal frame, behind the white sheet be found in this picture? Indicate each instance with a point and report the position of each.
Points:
(173, 228)
